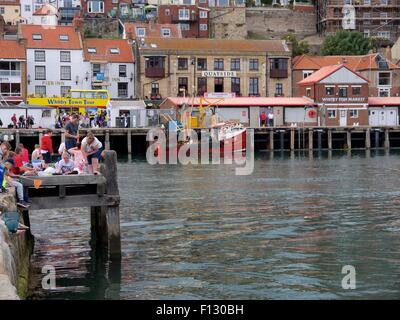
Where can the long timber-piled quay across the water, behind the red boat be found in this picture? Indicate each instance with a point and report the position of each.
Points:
(131, 141)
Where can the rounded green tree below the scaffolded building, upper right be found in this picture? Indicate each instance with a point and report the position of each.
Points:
(345, 42)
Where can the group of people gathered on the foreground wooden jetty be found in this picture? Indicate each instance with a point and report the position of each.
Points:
(75, 156)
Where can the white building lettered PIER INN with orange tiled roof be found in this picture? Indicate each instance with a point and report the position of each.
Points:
(54, 60)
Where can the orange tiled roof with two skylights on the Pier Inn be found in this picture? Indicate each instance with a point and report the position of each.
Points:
(51, 37)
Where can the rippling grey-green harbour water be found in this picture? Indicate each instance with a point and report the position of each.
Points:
(200, 232)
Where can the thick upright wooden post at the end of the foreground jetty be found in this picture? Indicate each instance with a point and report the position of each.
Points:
(109, 171)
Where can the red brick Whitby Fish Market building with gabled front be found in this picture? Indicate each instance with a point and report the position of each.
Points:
(340, 94)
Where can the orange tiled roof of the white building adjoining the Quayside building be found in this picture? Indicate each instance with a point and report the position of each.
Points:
(103, 47)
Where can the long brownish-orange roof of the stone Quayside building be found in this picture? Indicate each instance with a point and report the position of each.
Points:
(215, 45)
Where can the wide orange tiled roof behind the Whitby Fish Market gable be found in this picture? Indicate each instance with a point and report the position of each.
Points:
(358, 63)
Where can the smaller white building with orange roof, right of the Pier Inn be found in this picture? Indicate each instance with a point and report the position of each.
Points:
(111, 66)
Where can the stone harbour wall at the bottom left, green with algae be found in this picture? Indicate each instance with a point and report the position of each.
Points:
(15, 253)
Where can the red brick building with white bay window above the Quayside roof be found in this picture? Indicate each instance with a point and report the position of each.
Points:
(193, 20)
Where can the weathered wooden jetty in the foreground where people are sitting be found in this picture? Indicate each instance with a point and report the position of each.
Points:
(98, 192)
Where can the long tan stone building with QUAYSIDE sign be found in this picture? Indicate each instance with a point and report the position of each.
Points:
(193, 67)
